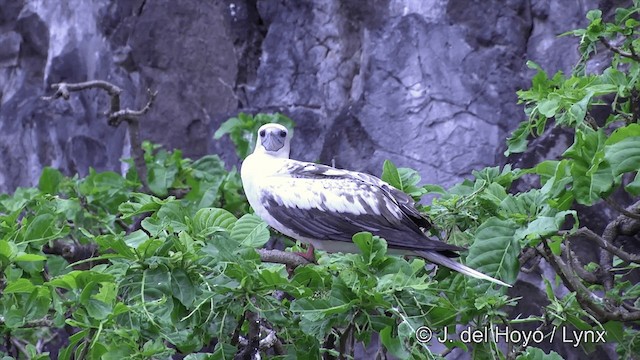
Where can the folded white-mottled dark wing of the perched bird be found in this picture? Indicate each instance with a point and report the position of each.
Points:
(323, 203)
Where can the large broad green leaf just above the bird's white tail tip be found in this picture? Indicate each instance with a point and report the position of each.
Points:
(495, 250)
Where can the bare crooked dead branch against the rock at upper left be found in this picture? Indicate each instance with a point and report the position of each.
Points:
(115, 116)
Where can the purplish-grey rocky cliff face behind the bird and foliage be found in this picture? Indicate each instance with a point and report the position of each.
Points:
(428, 84)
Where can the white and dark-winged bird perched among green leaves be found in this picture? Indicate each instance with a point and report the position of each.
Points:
(324, 207)
